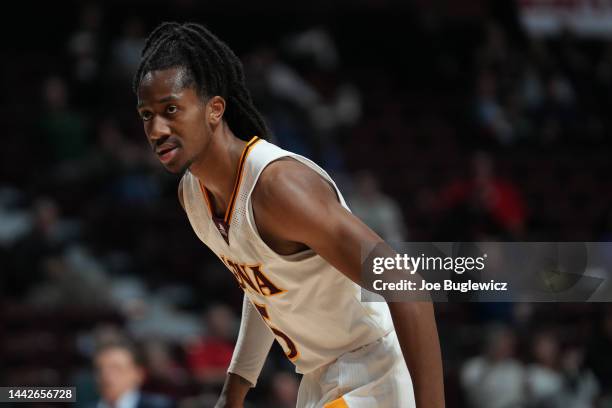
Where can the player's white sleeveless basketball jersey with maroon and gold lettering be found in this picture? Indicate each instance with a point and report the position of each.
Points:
(313, 309)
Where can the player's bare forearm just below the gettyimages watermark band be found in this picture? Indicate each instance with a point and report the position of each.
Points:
(417, 333)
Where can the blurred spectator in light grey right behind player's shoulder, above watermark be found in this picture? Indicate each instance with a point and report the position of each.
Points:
(377, 210)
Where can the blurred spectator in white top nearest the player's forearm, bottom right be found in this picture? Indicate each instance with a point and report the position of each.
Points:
(495, 379)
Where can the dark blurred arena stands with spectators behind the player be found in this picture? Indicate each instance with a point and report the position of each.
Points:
(441, 120)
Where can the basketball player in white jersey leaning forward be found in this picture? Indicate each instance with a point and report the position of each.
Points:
(280, 225)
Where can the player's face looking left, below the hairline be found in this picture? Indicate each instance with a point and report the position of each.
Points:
(174, 118)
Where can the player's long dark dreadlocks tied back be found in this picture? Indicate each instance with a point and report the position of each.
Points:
(210, 66)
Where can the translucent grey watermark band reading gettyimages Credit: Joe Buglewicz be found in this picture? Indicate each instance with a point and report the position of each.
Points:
(488, 271)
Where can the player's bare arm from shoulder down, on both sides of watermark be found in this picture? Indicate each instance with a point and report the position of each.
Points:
(293, 203)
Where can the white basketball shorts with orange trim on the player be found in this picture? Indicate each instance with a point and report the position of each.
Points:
(373, 376)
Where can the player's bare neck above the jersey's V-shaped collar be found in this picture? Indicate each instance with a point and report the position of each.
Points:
(217, 167)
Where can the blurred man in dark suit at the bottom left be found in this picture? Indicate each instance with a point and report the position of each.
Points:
(120, 375)
